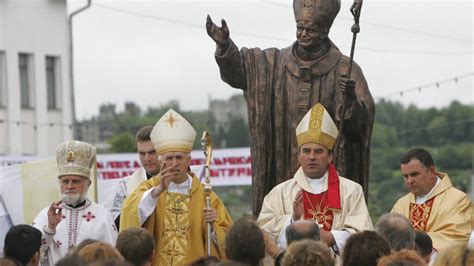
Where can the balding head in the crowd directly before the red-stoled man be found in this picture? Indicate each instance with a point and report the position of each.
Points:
(302, 229)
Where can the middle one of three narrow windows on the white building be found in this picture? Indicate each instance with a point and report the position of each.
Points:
(25, 81)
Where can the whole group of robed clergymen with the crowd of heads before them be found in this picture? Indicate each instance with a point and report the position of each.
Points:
(315, 218)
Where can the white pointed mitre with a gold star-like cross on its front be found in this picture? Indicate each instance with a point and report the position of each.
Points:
(172, 133)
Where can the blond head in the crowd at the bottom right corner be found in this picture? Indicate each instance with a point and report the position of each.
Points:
(455, 255)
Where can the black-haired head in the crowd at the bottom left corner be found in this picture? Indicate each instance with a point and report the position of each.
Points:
(22, 244)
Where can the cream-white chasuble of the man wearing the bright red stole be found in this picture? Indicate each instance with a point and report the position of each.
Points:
(277, 209)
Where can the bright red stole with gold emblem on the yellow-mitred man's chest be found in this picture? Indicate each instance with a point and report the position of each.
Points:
(319, 207)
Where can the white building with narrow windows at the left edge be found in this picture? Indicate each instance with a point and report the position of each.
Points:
(35, 94)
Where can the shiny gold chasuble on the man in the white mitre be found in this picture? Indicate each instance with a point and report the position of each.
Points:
(176, 221)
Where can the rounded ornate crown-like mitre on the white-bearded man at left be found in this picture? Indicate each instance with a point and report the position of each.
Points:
(75, 158)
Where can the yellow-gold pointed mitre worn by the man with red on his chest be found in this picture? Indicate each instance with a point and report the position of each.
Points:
(317, 127)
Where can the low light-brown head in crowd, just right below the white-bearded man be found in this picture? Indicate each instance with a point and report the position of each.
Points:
(99, 252)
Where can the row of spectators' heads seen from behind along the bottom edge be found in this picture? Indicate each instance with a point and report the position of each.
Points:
(394, 242)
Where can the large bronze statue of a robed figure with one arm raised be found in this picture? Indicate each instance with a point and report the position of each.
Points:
(281, 85)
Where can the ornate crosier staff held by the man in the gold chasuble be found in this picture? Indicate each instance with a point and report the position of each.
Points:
(206, 143)
